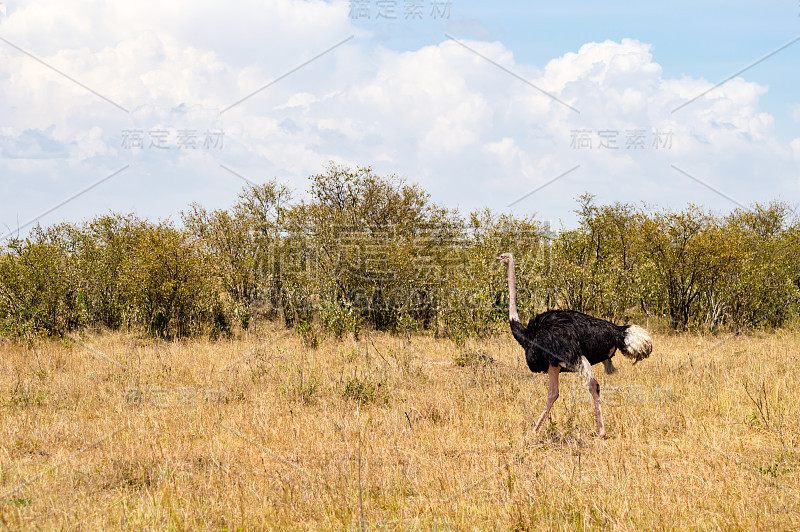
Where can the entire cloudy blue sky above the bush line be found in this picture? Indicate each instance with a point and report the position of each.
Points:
(146, 107)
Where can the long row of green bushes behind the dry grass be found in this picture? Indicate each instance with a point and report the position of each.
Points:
(365, 250)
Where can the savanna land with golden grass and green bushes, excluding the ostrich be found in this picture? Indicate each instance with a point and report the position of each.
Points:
(343, 362)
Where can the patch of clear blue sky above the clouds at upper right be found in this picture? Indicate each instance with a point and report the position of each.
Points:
(709, 39)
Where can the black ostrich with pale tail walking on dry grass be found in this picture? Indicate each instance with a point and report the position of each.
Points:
(572, 341)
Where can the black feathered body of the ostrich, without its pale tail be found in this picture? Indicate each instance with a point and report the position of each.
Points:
(561, 337)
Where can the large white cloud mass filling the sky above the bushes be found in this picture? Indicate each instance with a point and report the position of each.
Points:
(472, 134)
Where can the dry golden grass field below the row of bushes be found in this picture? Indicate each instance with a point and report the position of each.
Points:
(116, 432)
